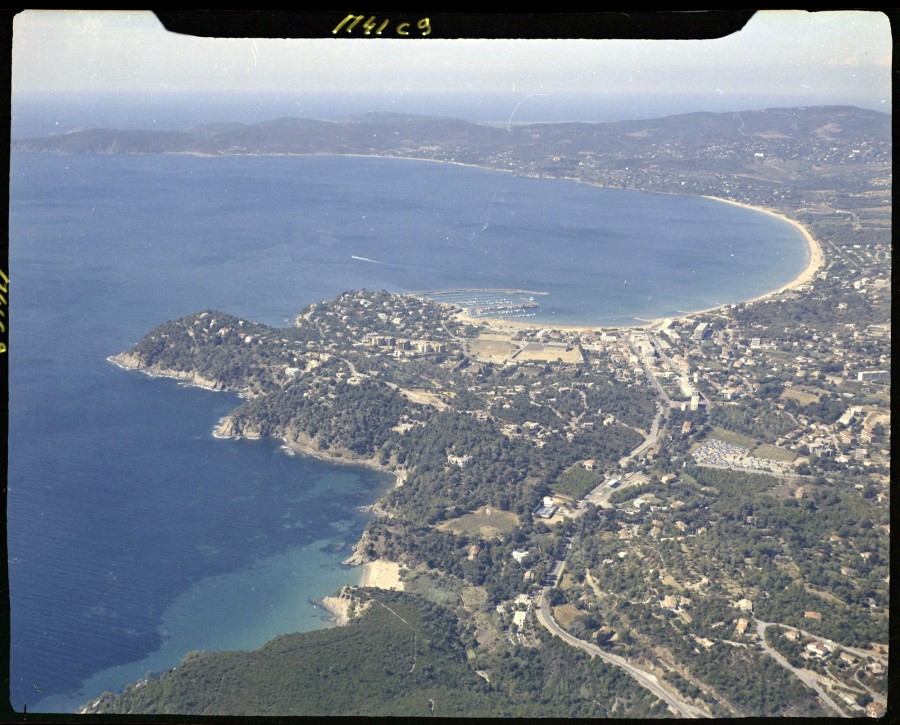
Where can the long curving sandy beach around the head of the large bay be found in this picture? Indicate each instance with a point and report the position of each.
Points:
(814, 263)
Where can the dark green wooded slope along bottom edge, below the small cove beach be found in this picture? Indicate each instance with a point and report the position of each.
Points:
(403, 656)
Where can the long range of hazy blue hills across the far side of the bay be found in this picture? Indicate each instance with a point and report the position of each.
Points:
(782, 158)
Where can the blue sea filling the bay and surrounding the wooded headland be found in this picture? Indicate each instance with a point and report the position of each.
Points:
(134, 535)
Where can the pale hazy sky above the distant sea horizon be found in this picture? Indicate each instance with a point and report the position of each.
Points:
(779, 58)
